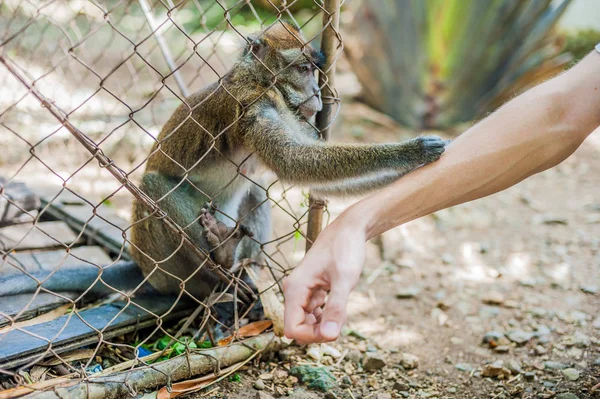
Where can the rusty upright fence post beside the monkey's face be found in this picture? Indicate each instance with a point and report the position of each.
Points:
(330, 42)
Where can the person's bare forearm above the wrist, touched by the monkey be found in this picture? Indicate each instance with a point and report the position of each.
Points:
(533, 132)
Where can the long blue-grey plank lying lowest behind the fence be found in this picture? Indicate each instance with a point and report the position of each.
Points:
(19, 347)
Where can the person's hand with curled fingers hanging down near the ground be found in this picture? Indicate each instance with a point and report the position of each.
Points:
(326, 276)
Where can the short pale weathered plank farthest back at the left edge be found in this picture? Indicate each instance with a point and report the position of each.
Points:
(36, 236)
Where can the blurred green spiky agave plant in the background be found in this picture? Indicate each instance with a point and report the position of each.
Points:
(436, 63)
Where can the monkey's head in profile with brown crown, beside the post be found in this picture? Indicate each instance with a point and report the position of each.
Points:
(291, 63)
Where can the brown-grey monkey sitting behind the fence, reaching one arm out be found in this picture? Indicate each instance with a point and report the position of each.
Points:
(257, 116)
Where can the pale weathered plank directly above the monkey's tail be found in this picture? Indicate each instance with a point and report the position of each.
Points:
(53, 260)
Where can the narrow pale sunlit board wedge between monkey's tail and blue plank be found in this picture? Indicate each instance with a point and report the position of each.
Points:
(27, 307)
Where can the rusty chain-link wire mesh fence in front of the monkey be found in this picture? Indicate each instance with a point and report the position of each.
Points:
(87, 89)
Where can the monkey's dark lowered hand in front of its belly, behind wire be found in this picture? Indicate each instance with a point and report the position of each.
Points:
(222, 240)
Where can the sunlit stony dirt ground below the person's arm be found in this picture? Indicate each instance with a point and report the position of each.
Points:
(520, 268)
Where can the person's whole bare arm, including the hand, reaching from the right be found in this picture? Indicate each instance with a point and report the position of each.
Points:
(533, 132)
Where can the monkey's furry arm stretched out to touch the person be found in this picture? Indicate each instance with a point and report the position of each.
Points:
(302, 160)
